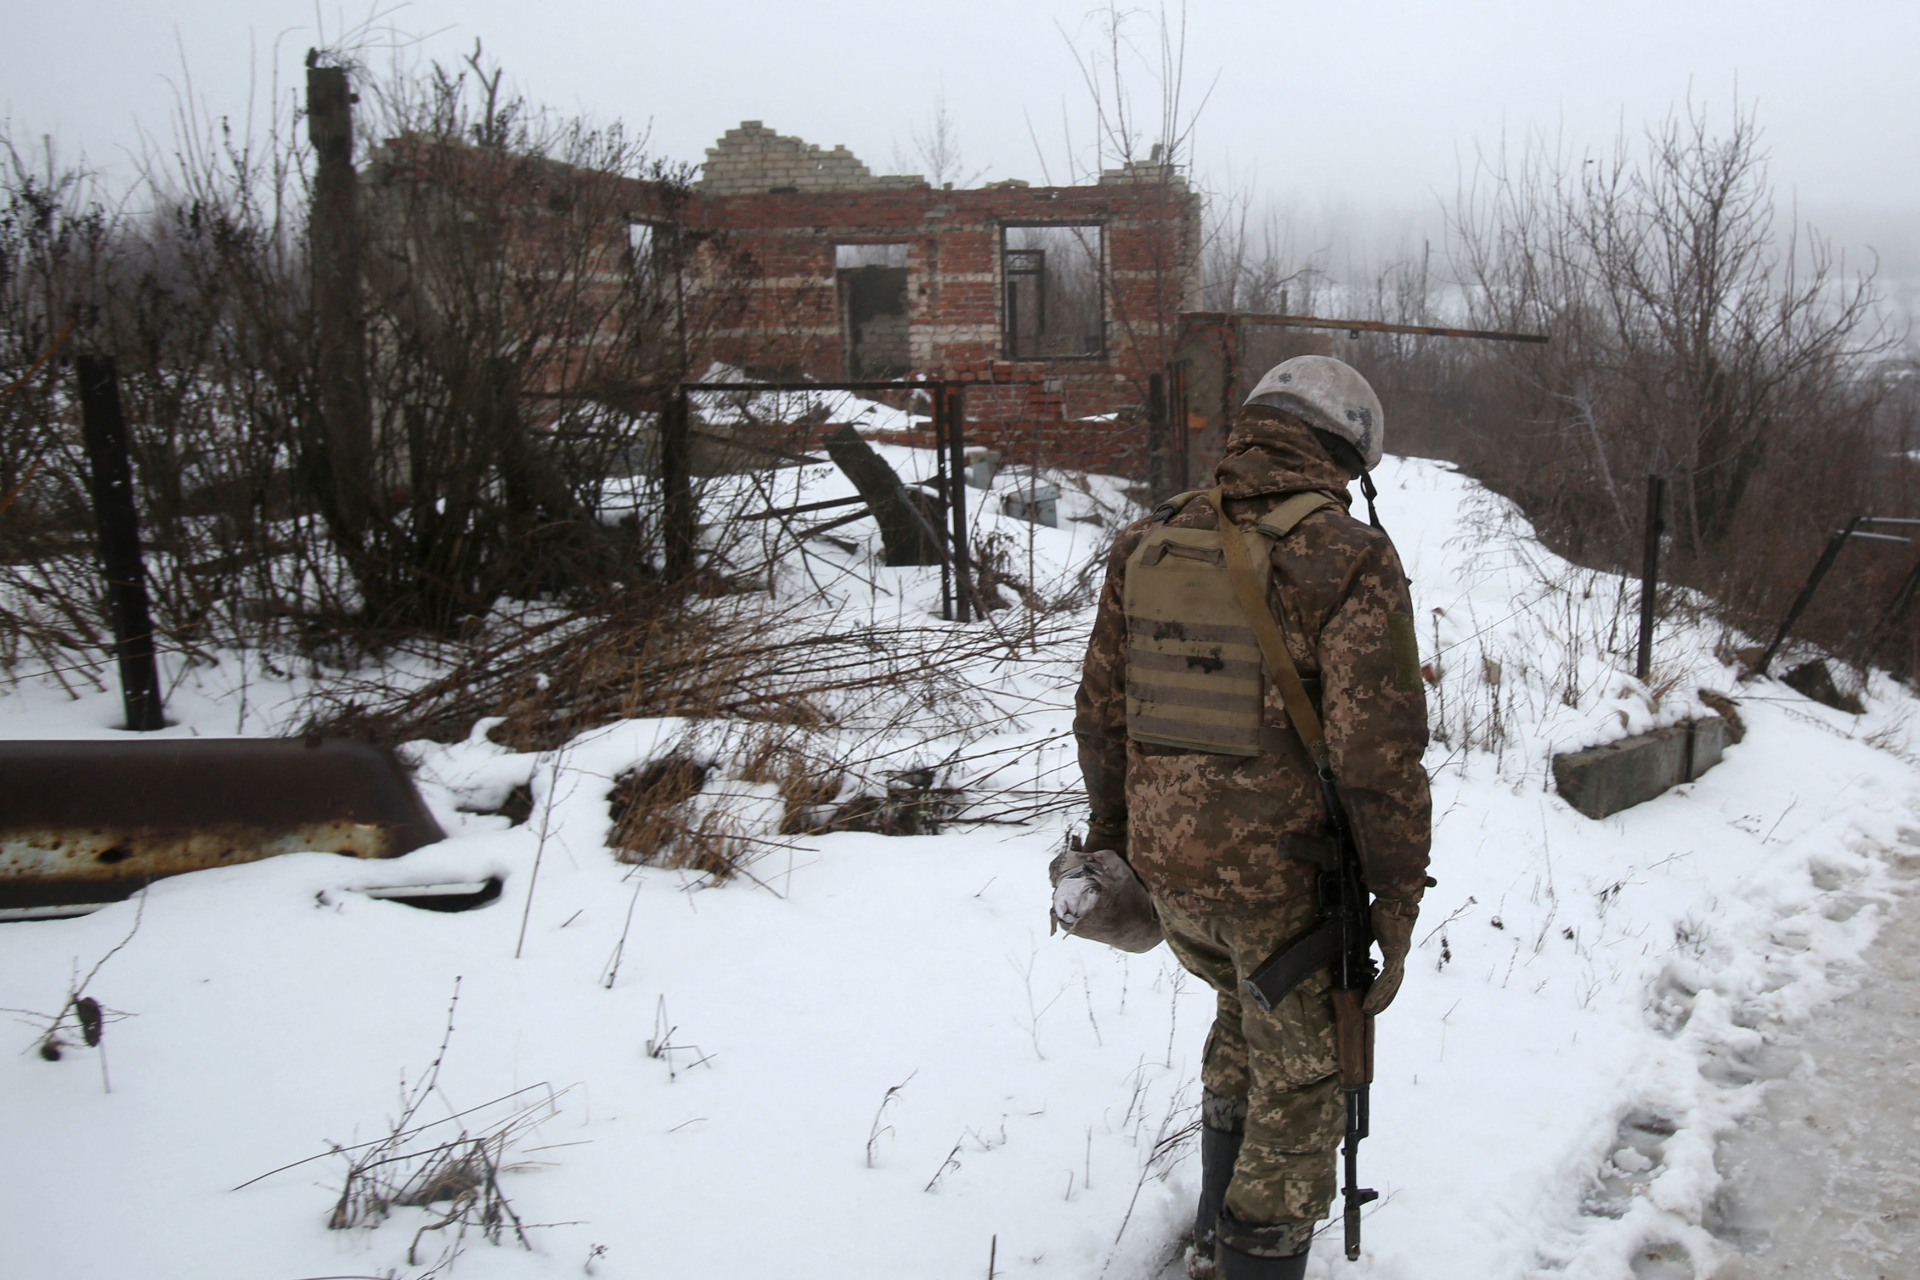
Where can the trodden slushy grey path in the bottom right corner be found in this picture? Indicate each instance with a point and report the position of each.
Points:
(1823, 1181)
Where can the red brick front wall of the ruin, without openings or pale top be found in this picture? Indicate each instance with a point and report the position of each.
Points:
(1082, 414)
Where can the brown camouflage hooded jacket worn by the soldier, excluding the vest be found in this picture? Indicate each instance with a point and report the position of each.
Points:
(1236, 832)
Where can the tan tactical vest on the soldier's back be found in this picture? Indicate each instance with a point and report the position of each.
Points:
(1193, 659)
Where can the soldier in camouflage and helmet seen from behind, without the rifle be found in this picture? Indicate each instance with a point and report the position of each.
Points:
(1201, 784)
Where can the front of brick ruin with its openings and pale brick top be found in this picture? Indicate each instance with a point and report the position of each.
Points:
(1055, 304)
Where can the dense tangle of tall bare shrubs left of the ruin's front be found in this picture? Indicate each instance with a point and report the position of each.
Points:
(475, 423)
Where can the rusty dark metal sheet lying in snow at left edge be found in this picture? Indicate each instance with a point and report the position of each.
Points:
(97, 820)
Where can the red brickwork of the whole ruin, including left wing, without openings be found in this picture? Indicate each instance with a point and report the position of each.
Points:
(763, 291)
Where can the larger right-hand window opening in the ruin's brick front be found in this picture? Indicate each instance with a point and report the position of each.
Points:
(1055, 293)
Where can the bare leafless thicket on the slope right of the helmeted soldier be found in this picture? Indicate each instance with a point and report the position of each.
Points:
(1698, 333)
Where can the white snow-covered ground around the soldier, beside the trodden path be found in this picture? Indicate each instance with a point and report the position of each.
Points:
(871, 1060)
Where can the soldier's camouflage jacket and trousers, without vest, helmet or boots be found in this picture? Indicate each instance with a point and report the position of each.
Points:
(1230, 845)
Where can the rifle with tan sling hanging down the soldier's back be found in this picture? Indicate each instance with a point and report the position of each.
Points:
(1345, 937)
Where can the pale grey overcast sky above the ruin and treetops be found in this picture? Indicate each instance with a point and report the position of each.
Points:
(1368, 108)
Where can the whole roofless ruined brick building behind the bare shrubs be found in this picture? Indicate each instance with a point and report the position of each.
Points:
(1057, 306)
